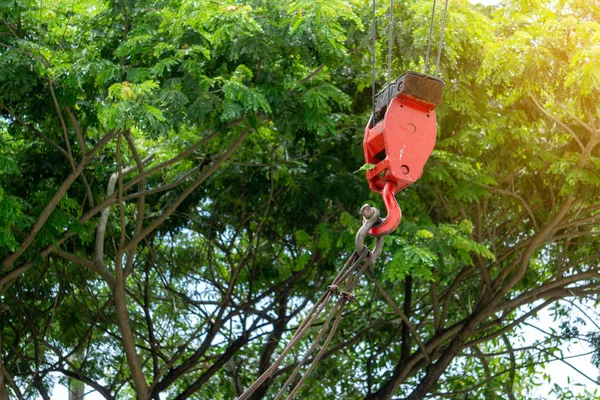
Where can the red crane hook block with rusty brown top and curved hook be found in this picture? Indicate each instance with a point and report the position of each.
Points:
(399, 138)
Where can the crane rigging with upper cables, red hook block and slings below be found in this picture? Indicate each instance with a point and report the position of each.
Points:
(399, 137)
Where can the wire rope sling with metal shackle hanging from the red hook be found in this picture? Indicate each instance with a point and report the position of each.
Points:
(348, 276)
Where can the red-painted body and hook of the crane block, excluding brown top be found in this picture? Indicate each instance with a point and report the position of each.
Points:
(399, 146)
